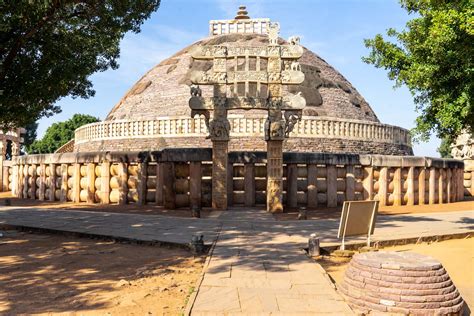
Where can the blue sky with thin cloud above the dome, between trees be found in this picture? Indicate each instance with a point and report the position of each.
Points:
(334, 29)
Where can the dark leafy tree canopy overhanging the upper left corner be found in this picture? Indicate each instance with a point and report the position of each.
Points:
(49, 48)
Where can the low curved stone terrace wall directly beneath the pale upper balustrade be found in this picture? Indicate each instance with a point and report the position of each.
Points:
(330, 145)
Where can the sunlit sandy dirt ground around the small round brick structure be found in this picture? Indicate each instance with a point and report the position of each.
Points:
(456, 255)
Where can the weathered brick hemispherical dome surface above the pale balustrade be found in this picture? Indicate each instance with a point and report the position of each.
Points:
(164, 90)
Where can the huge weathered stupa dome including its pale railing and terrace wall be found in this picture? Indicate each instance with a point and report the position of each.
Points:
(154, 114)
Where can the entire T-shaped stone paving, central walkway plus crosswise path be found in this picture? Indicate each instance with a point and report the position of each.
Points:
(257, 266)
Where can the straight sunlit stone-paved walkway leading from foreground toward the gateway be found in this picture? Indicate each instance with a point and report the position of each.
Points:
(257, 272)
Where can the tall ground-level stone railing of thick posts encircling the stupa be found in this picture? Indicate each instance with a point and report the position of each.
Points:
(182, 178)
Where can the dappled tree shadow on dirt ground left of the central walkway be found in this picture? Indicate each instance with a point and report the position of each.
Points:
(52, 273)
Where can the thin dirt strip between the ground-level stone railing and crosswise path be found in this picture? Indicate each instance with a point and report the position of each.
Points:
(151, 209)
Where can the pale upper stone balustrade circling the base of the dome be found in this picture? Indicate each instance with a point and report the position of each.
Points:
(186, 127)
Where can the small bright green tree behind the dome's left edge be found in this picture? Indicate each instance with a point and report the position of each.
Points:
(59, 134)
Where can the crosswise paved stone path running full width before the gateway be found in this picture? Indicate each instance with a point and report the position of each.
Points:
(180, 230)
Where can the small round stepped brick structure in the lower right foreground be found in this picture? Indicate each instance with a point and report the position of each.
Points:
(400, 283)
